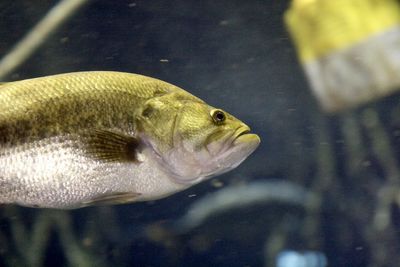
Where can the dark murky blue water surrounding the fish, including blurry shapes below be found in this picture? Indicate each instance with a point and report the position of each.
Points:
(321, 190)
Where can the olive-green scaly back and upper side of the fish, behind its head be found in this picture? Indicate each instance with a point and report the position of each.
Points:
(23, 104)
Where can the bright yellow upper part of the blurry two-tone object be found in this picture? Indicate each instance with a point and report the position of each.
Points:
(321, 26)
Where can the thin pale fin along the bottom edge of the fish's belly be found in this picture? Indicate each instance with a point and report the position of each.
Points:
(112, 199)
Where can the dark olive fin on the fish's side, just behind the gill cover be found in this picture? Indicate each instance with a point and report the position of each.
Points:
(111, 146)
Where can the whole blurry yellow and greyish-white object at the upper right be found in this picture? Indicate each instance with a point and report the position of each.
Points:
(350, 49)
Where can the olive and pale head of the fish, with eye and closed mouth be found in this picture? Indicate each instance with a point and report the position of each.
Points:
(194, 141)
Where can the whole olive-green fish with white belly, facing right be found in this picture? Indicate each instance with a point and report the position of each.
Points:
(79, 139)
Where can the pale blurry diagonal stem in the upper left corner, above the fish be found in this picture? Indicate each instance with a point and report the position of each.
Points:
(38, 34)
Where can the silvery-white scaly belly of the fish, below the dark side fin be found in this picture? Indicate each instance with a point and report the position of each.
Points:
(52, 173)
